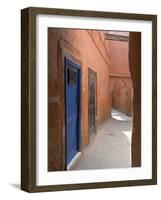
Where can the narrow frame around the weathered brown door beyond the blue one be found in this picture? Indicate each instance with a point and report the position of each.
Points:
(90, 71)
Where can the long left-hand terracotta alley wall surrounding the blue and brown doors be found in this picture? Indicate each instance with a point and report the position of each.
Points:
(88, 49)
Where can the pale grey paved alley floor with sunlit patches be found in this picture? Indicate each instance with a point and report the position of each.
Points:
(111, 147)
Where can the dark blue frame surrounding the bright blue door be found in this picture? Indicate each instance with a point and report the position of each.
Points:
(77, 66)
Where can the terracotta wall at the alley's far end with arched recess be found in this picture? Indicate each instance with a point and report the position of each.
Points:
(121, 88)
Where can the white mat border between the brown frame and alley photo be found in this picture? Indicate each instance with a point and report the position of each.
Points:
(43, 177)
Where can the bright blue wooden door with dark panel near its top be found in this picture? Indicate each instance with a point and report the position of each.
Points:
(72, 73)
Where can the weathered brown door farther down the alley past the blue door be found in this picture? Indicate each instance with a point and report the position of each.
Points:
(92, 99)
